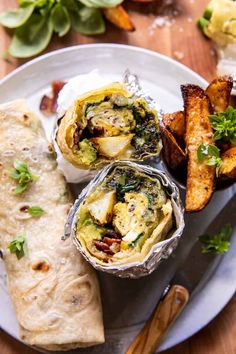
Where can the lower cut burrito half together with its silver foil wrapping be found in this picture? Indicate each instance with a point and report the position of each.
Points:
(127, 219)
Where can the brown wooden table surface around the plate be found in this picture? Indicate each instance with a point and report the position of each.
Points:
(178, 38)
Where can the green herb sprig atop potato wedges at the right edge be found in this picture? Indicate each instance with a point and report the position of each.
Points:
(224, 125)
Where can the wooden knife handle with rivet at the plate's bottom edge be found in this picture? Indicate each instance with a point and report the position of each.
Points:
(147, 341)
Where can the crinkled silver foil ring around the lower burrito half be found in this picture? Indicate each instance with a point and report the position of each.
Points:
(159, 251)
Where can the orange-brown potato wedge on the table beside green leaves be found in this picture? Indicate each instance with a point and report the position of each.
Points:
(119, 17)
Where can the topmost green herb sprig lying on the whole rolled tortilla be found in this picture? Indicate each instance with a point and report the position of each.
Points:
(22, 175)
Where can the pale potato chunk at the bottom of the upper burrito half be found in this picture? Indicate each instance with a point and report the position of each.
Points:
(112, 146)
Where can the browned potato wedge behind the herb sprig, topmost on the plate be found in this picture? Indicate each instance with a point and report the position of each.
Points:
(219, 93)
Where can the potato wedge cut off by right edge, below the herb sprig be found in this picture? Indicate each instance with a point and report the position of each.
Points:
(228, 167)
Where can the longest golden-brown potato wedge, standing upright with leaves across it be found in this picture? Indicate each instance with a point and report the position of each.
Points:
(200, 177)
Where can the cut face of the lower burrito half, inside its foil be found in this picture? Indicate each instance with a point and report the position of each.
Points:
(124, 217)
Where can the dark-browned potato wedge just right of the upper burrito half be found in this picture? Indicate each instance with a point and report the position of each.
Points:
(173, 154)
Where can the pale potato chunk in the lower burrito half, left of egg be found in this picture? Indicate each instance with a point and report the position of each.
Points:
(102, 208)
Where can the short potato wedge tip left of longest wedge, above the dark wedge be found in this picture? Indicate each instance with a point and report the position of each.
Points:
(175, 122)
